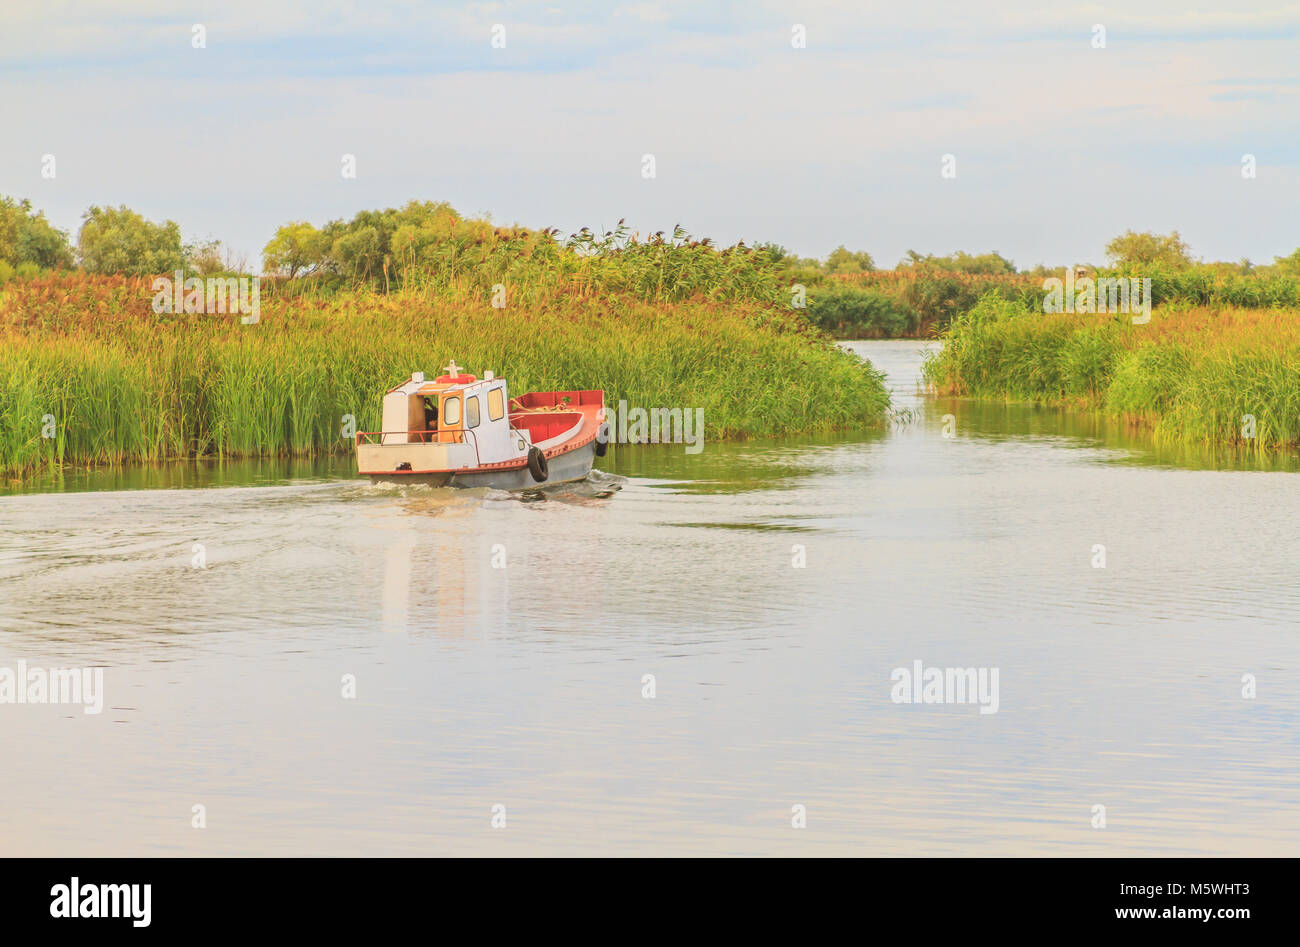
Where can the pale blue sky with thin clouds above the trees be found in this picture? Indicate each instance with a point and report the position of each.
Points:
(1058, 144)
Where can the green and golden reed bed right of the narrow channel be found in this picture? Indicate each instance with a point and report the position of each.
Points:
(1190, 375)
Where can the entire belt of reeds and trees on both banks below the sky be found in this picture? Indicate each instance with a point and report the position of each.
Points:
(92, 374)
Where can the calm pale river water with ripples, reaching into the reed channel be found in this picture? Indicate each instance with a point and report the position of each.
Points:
(522, 686)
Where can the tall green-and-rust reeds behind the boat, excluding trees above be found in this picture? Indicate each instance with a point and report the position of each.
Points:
(124, 384)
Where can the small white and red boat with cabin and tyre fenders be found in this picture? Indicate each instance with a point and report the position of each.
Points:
(463, 431)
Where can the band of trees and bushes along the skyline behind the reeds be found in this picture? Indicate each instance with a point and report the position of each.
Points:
(430, 247)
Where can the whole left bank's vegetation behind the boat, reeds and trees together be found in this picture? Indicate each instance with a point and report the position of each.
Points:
(90, 373)
